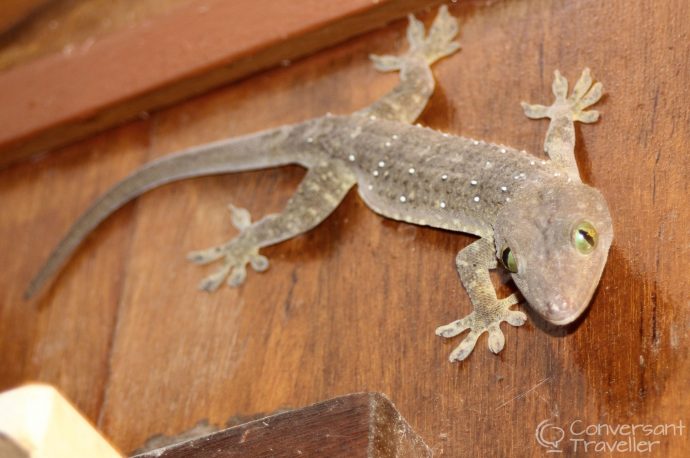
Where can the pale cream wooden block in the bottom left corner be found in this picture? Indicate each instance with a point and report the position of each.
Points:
(42, 424)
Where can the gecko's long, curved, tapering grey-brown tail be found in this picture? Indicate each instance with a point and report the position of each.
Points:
(252, 152)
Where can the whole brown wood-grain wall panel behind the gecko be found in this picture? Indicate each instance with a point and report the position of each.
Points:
(352, 305)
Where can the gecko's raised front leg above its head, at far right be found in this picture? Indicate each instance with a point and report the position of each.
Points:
(560, 137)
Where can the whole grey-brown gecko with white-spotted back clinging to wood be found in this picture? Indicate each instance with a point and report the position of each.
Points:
(534, 218)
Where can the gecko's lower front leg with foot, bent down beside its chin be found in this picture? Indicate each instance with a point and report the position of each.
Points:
(473, 264)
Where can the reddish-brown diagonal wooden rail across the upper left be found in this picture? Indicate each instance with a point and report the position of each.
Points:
(63, 97)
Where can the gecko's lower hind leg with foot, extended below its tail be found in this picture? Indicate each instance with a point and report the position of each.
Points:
(319, 193)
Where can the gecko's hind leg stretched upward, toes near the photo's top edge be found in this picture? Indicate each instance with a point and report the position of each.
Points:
(407, 100)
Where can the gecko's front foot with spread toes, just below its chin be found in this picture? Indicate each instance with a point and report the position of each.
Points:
(480, 321)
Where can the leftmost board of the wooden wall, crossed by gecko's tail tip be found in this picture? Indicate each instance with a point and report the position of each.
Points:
(64, 337)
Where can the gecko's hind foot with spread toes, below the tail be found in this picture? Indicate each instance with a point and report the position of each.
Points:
(236, 254)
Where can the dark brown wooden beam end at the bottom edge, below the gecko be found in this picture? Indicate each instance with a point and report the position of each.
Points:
(362, 424)
